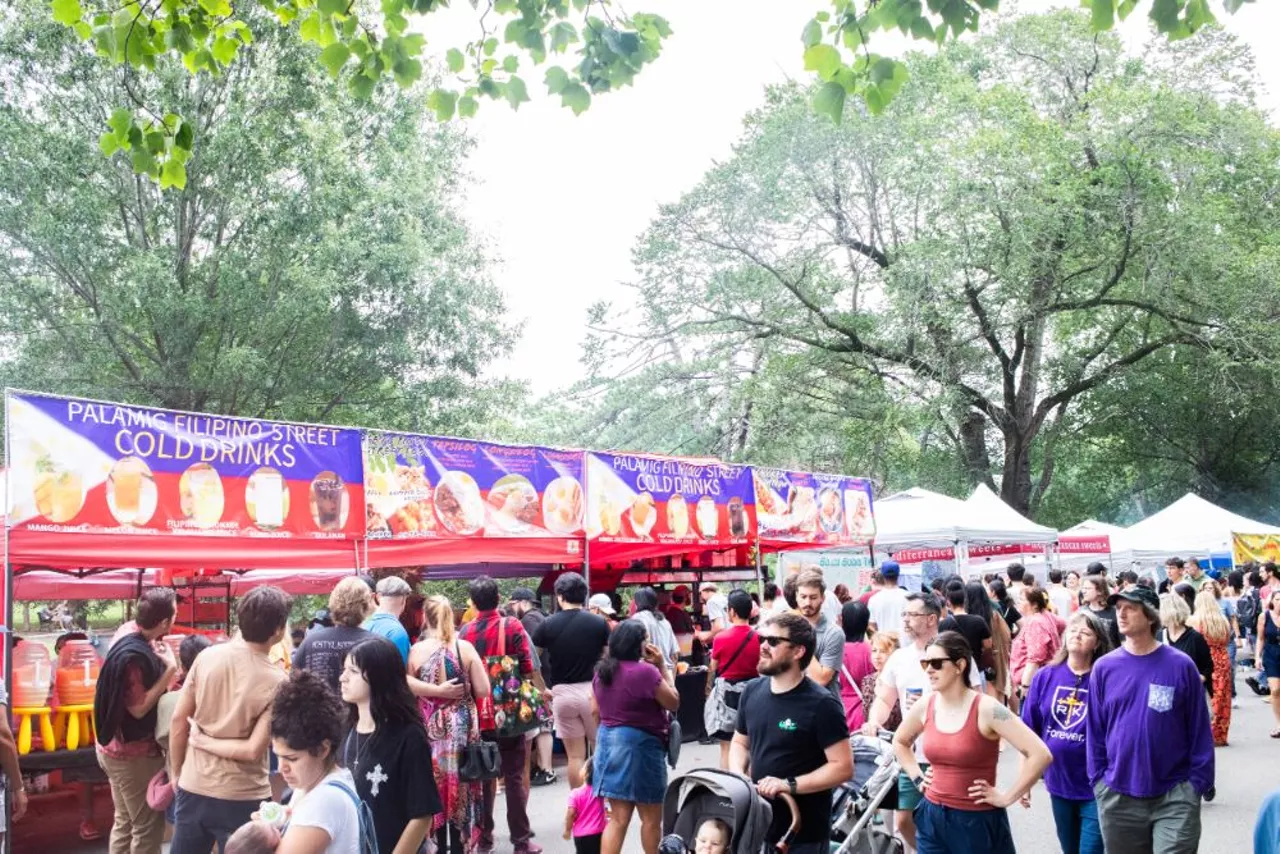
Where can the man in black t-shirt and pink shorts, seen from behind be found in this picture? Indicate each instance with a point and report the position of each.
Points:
(575, 640)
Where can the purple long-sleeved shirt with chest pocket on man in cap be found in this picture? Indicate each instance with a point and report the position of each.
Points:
(1149, 727)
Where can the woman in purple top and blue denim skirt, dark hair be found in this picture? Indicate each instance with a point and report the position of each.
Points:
(633, 693)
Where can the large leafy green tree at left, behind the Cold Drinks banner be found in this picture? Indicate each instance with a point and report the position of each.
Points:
(313, 266)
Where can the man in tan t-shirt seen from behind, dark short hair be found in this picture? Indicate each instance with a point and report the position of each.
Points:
(221, 728)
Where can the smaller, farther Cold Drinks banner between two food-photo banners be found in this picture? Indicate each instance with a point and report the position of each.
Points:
(641, 499)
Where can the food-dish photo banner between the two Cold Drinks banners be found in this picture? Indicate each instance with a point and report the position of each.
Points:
(431, 487)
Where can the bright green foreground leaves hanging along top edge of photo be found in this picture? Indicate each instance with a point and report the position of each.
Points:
(587, 48)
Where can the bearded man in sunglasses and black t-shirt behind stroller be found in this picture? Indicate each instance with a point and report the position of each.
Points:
(793, 736)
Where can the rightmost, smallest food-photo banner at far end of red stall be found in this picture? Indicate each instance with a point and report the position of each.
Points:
(803, 508)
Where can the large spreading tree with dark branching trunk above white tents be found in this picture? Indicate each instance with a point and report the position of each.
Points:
(1032, 218)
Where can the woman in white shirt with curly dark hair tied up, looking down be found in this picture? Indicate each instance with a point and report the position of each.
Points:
(308, 723)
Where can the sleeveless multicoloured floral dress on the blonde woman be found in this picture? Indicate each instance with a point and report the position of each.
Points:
(450, 728)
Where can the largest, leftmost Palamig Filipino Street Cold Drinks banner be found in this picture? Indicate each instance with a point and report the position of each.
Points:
(79, 465)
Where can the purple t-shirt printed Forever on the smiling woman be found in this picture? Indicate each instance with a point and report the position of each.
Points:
(1057, 710)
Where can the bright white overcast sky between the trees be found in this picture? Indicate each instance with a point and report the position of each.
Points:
(563, 199)
